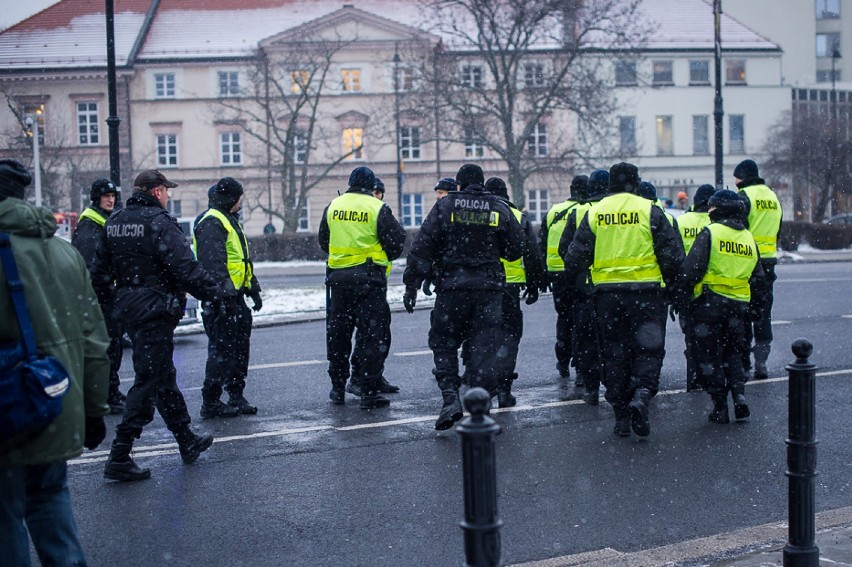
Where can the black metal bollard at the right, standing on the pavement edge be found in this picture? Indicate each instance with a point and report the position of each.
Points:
(801, 549)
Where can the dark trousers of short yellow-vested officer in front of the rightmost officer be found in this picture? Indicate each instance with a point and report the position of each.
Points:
(719, 327)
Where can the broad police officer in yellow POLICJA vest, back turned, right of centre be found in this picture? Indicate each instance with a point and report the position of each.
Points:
(632, 251)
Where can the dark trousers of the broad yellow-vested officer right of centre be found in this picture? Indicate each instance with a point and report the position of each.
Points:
(632, 332)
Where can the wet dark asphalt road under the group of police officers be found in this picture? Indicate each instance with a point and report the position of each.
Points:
(308, 483)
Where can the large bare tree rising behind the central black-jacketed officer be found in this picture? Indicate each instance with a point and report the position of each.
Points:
(530, 80)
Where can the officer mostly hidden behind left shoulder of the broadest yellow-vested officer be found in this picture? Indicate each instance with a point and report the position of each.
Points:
(584, 332)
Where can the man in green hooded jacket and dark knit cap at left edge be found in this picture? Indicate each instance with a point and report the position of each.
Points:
(34, 493)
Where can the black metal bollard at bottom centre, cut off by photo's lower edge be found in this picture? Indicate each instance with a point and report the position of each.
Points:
(481, 525)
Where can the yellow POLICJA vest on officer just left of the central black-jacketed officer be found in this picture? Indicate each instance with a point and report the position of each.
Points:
(353, 232)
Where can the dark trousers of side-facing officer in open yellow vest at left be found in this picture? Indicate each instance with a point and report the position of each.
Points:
(228, 328)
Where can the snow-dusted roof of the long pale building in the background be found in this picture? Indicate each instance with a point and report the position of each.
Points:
(71, 34)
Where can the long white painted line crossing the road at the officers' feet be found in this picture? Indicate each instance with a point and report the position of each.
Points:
(171, 448)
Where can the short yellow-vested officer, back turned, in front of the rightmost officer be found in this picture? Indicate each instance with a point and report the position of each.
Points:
(721, 276)
